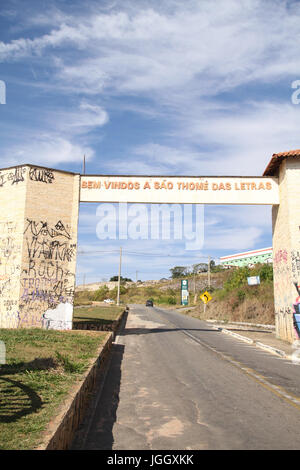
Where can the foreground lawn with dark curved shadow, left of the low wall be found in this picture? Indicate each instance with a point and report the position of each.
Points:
(41, 367)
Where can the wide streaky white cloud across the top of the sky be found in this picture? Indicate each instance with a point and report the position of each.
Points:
(152, 49)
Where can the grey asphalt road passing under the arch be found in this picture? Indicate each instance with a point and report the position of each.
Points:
(176, 383)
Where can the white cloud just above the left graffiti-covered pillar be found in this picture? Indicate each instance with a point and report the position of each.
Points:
(56, 138)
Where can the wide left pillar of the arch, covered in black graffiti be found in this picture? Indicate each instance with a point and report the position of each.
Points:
(39, 271)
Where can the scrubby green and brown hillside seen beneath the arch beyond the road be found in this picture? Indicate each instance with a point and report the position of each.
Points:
(232, 298)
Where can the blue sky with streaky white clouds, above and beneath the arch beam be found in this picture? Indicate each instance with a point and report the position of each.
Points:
(148, 87)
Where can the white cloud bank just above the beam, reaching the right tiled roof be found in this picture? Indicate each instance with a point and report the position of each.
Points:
(238, 141)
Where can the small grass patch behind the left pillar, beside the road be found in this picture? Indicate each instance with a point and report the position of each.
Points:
(104, 315)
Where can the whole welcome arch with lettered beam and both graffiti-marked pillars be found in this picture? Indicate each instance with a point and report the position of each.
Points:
(39, 219)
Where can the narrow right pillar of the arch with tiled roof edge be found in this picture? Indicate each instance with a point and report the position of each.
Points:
(286, 244)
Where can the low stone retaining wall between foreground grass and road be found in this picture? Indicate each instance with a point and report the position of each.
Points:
(60, 433)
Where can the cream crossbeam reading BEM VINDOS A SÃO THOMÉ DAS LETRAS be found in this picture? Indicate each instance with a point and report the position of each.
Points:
(180, 190)
